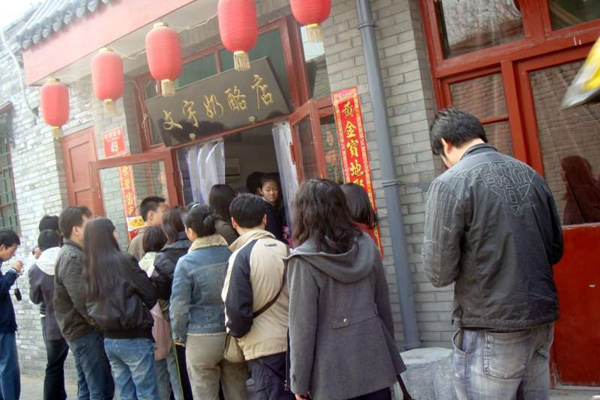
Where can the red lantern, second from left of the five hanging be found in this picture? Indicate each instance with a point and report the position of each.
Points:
(107, 79)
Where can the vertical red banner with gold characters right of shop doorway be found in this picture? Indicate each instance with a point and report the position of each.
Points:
(353, 144)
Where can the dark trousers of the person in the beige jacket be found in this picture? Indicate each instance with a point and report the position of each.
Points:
(269, 377)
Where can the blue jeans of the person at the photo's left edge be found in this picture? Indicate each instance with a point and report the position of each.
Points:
(10, 376)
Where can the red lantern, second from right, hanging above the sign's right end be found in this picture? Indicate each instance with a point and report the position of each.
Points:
(238, 26)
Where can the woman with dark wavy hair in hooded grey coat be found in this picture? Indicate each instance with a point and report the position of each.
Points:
(341, 329)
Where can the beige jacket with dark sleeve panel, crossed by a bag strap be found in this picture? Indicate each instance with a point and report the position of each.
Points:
(254, 277)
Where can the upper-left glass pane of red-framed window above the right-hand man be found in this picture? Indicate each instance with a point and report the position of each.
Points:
(470, 25)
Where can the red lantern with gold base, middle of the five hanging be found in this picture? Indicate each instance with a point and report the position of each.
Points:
(163, 50)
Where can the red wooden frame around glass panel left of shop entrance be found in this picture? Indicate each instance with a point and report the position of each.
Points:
(173, 178)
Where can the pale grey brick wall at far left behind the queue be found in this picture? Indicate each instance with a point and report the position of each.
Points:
(40, 189)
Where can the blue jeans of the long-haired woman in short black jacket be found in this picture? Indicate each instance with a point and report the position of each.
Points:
(132, 362)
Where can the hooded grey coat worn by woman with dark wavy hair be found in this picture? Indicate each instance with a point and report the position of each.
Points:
(341, 328)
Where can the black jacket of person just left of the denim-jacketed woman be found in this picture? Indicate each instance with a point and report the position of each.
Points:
(165, 262)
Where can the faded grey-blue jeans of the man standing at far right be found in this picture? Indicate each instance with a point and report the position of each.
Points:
(492, 365)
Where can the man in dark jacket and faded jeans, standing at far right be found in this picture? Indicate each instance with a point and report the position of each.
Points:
(491, 228)
